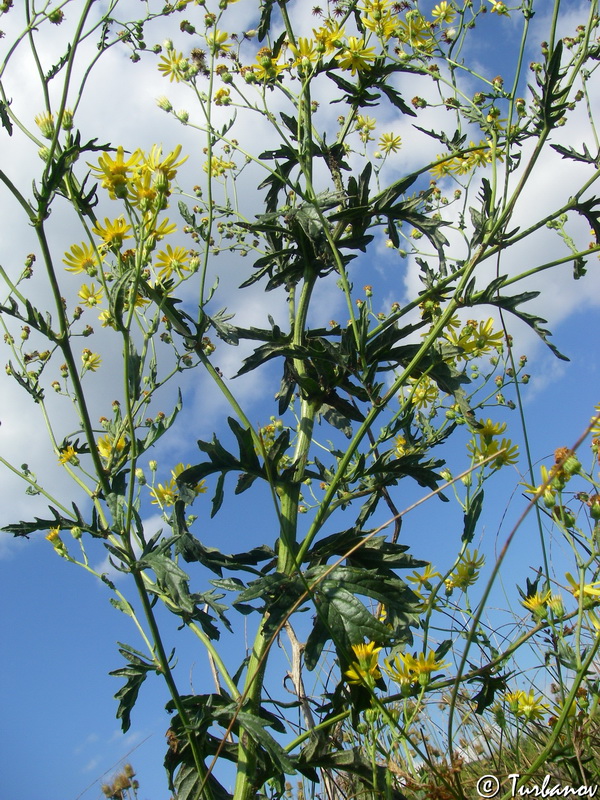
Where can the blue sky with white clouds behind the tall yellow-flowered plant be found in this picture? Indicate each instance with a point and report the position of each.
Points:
(59, 631)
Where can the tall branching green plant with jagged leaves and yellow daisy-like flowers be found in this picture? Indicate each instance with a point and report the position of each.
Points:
(362, 406)
